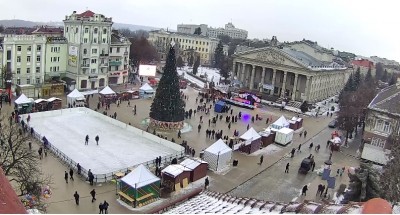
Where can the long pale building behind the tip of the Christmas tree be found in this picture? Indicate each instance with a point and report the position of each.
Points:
(203, 46)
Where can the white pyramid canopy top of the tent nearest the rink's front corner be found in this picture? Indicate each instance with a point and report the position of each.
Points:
(140, 177)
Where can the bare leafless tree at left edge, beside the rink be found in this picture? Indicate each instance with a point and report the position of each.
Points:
(19, 162)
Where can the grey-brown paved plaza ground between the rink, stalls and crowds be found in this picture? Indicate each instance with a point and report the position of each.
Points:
(269, 183)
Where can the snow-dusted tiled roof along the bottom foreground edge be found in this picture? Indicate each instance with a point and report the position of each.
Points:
(216, 203)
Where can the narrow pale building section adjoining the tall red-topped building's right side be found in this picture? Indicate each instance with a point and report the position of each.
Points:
(118, 64)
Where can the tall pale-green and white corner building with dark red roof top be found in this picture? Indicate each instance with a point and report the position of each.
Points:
(89, 40)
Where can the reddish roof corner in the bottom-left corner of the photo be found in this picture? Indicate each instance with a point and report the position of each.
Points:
(9, 201)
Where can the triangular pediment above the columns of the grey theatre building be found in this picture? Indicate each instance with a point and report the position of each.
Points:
(270, 56)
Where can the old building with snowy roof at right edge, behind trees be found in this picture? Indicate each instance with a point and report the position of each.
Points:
(382, 118)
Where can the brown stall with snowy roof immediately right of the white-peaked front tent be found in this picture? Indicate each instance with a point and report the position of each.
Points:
(175, 177)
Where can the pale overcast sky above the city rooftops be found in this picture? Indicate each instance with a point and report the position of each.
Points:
(359, 26)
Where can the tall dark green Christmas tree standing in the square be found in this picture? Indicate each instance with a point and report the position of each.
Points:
(168, 107)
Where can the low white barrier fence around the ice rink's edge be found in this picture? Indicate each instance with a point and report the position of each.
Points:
(108, 176)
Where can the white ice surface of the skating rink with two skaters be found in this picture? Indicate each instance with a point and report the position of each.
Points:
(119, 147)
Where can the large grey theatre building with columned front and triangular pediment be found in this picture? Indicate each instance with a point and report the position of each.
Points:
(289, 73)
